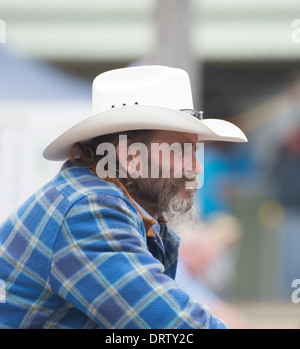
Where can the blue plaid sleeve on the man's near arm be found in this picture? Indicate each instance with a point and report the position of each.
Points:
(102, 266)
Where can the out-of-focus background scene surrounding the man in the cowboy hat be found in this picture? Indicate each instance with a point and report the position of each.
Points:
(244, 61)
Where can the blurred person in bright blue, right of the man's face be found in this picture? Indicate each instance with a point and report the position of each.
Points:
(228, 169)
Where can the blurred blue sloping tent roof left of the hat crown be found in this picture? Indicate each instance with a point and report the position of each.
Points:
(31, 79)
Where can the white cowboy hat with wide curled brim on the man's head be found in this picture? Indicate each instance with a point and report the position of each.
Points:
(144, 97)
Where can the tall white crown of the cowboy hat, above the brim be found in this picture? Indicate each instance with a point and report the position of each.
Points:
(152, 85)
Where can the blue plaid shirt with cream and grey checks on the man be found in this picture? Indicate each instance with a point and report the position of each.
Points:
(80, 253)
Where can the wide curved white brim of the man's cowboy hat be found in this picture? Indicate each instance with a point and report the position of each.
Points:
(141, 117)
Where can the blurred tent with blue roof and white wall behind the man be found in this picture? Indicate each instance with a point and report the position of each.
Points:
(37, 102)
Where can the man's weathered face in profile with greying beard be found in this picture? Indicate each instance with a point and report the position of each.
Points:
(172, 172)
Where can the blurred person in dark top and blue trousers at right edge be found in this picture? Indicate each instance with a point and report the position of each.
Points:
(286, 175)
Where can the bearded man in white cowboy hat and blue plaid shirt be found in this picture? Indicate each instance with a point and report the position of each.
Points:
(91, 249)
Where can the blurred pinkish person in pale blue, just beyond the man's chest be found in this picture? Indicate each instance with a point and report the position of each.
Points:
(207, 257)
